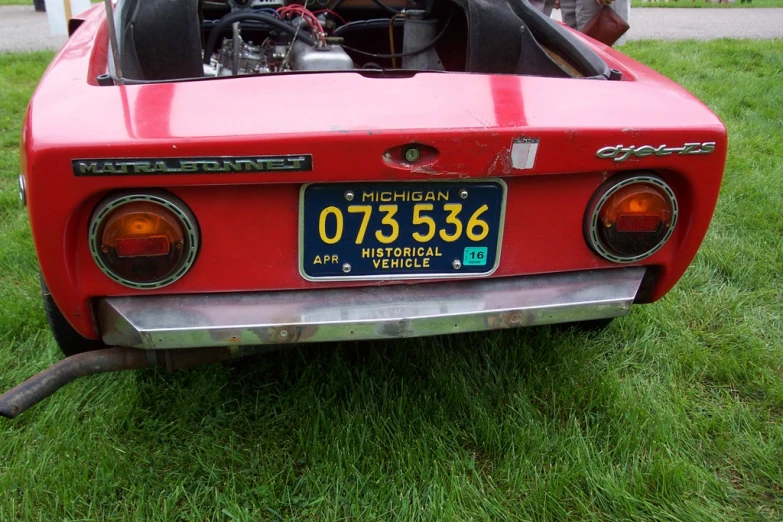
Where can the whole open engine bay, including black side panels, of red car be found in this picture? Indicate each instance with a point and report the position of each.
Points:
(162, 40)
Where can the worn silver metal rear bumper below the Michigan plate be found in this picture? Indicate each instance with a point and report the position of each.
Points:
(381, 312)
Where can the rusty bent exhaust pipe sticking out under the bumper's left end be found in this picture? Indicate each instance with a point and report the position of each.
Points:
(40, 386)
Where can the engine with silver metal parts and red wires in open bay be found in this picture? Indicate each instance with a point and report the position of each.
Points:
(273, 36)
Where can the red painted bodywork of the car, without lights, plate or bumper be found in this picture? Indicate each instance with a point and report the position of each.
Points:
(249, 222)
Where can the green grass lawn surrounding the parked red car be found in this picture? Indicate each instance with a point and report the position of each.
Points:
(673, 413)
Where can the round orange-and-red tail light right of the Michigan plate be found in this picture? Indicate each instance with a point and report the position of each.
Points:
(630, 218)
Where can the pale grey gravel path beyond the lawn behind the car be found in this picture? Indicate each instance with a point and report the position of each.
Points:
(22, 29)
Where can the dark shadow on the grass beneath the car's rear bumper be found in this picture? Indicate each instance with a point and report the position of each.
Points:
(429, 380)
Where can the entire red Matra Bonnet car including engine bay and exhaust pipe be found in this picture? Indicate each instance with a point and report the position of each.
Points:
(203, 177)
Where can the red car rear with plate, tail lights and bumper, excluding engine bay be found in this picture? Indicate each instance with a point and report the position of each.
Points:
(332, 206)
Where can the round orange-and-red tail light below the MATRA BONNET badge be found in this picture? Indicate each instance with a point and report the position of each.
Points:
(143, 240)
